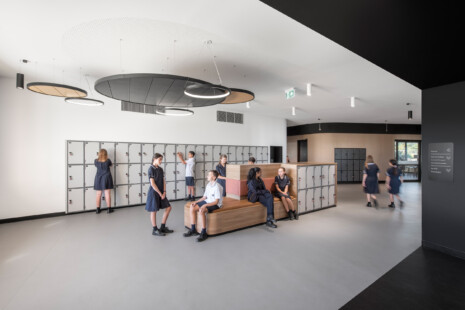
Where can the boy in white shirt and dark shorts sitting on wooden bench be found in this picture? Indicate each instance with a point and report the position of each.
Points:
(212, 200)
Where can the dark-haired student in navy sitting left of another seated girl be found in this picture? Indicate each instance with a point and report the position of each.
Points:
(258, 192)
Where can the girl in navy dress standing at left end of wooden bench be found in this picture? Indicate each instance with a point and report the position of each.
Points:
(156, 197)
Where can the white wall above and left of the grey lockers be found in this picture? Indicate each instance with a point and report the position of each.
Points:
(34, 128)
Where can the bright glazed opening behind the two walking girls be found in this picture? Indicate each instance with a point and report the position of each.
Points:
(408, 155)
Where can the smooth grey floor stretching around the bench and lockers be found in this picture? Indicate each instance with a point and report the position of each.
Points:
(111, 261)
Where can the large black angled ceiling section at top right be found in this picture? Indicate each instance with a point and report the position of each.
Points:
(418, 41)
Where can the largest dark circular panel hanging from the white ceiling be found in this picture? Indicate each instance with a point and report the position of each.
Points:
(162, 90)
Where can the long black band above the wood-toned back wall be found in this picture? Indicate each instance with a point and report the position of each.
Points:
(354, 128)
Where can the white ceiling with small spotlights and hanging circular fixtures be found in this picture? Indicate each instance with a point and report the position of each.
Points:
(256, 48)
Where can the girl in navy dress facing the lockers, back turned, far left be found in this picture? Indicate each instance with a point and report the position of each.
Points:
(103, 180)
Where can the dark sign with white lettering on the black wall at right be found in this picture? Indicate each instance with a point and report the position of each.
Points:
(441, 162)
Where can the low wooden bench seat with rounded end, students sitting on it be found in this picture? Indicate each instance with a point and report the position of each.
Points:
(236, 214)
